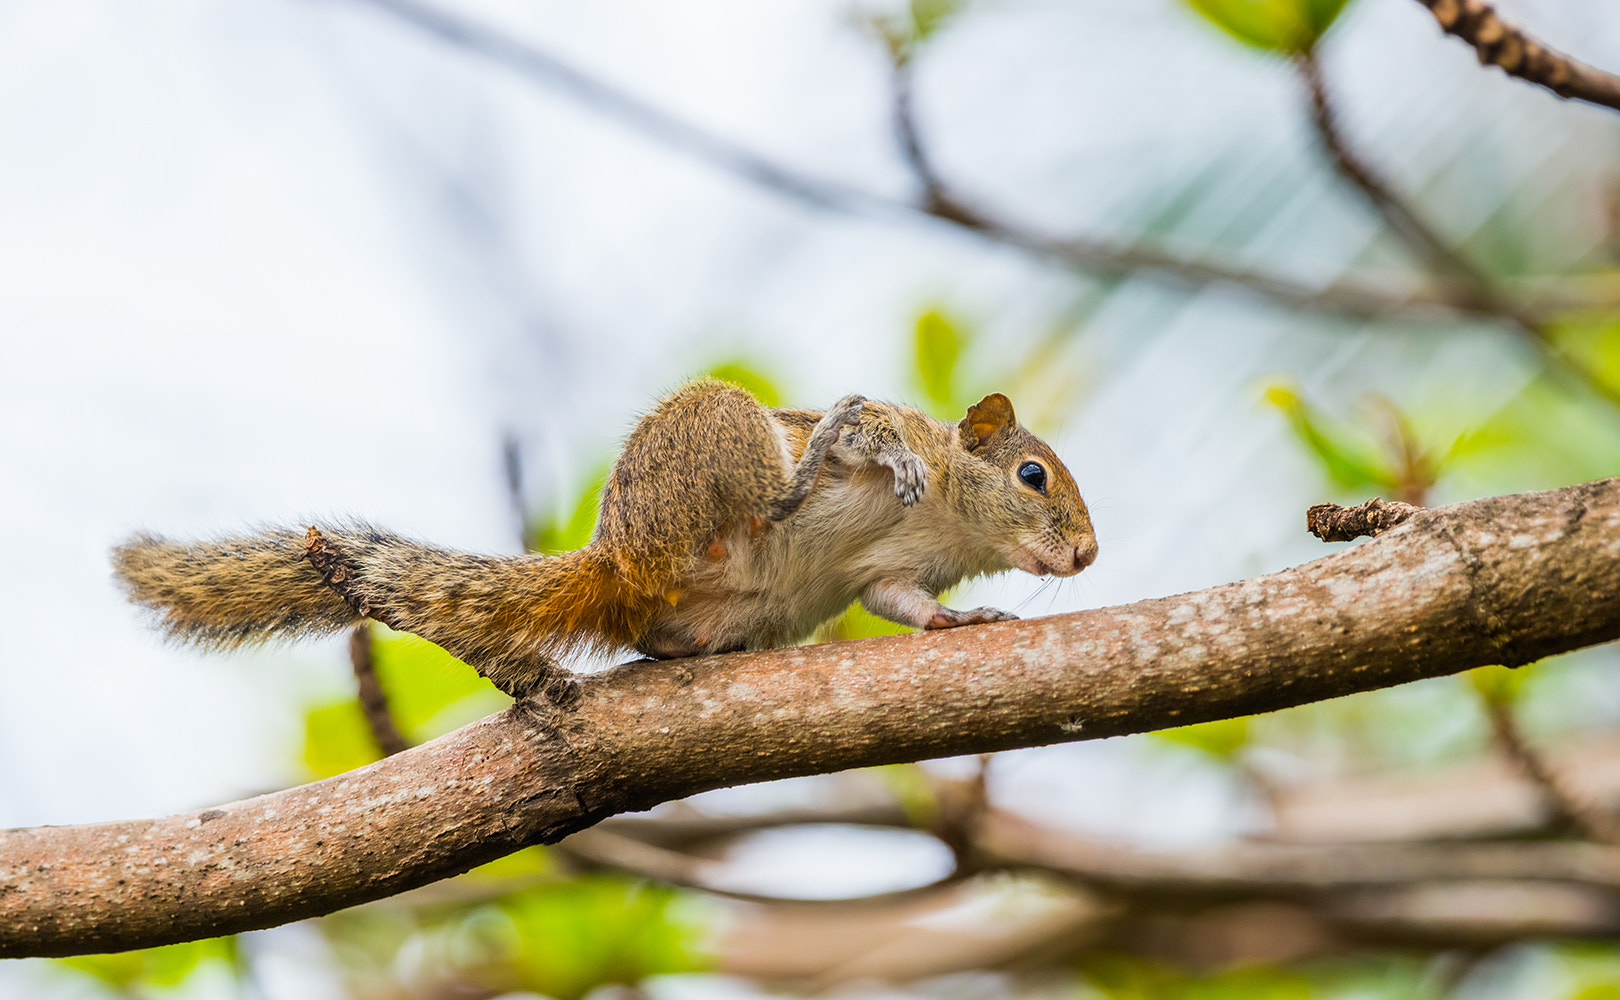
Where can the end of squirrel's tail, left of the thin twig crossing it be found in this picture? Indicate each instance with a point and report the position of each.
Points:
(232, 591)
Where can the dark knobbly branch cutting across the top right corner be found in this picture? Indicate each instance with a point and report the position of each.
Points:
(1504, 45)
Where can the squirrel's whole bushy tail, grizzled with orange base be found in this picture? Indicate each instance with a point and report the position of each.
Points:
(505, 615)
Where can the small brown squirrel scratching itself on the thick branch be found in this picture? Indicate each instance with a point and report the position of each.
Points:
(725, 526)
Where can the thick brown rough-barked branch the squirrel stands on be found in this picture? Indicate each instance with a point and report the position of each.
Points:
(1494, 581)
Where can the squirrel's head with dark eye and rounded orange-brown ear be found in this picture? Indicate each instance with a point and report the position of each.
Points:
(1021, 494)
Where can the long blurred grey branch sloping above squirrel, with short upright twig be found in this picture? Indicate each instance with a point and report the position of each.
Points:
(1091, 257)
